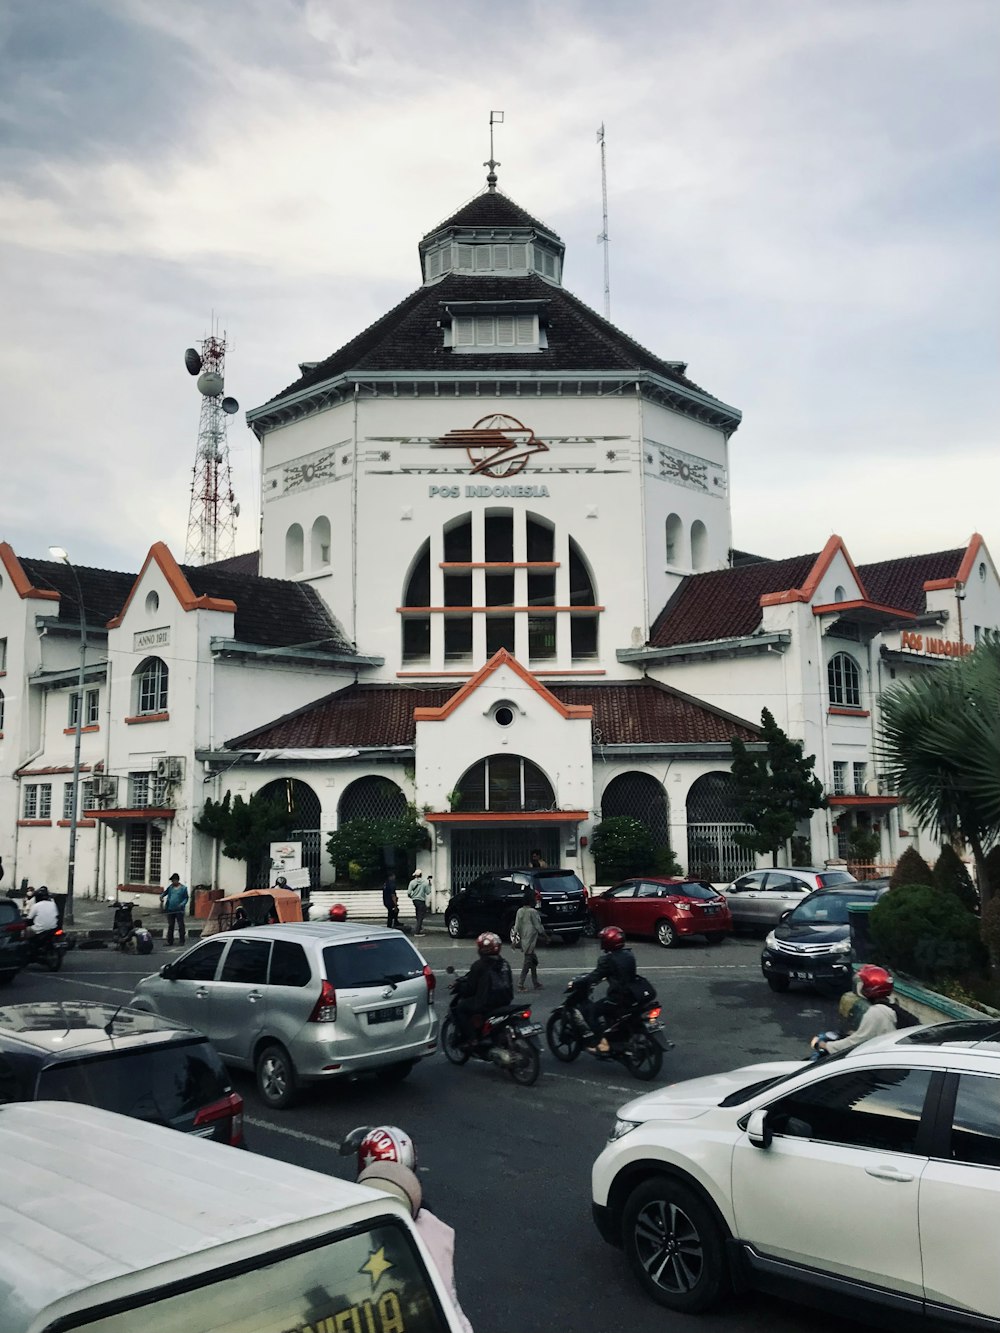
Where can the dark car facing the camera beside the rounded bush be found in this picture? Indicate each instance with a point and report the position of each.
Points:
(813, 942)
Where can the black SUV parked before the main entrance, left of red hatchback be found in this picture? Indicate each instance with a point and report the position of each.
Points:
(491, 903)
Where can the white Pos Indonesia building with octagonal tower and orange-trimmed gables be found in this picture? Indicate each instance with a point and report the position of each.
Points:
(497, 582)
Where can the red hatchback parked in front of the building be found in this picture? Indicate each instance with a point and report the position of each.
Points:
(665, 910)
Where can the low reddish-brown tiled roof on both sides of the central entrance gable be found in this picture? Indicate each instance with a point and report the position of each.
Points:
(635, 712)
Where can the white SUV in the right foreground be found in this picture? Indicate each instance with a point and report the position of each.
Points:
(870, 1179)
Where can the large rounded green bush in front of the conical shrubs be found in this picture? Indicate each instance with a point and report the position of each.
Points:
(915, 928)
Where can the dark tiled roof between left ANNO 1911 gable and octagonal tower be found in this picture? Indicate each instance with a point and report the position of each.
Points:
(273, 613)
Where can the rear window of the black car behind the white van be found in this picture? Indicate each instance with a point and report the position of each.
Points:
(159, 1084)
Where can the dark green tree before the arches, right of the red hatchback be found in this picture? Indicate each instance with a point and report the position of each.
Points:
(775, 790)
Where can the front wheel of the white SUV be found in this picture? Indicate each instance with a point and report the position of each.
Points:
(675, 1247)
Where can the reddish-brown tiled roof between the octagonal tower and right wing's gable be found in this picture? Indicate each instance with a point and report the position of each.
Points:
(726, 603)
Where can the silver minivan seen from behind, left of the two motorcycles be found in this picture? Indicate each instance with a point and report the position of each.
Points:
(303, 1003)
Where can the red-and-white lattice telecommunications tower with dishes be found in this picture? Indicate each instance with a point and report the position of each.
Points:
(214, 510)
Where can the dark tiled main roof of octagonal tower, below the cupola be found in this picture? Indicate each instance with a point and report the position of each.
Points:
(409, 337)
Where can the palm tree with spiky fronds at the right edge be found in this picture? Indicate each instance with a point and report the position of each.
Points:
(941, 746)
